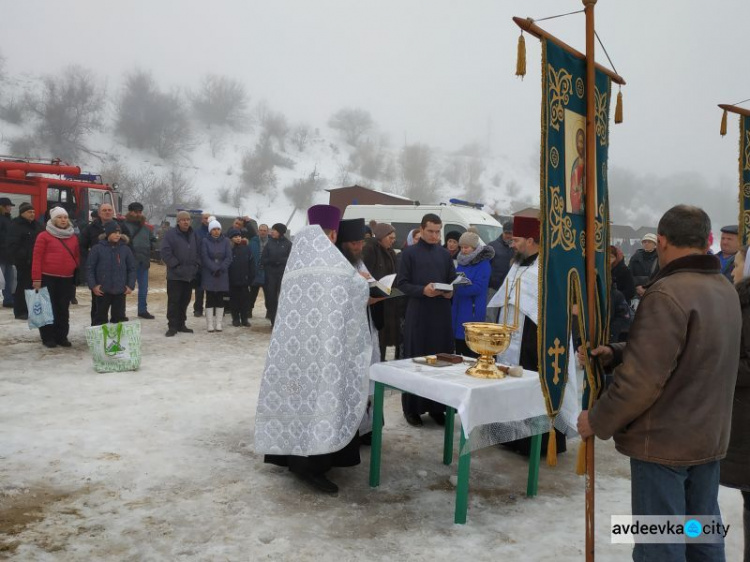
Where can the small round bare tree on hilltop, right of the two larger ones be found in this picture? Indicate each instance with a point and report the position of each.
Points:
(221, 101)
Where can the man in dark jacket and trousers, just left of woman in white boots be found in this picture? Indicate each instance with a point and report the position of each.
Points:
(180, 251)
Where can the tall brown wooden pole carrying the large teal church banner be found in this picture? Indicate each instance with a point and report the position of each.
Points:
(590, 169)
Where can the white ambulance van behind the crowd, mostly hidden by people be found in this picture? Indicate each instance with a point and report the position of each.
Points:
(404, 218)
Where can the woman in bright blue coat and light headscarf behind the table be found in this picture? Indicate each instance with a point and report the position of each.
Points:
(470, 301)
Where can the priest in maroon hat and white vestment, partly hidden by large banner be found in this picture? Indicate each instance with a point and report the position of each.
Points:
(518, 301)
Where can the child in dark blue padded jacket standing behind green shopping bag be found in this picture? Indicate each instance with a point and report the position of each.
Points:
(110, 273)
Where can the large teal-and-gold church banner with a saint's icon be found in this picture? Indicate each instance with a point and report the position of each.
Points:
(562, 279)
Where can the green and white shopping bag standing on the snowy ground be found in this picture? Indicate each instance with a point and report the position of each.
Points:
(115, 347)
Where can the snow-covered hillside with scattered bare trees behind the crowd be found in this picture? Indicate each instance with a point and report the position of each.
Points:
(213, 166)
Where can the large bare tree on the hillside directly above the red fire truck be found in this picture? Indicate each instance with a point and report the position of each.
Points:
(68, 108)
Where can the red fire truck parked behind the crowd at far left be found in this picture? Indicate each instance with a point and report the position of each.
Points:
(51, 183)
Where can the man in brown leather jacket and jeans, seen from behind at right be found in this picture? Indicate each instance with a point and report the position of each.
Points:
(669, 405)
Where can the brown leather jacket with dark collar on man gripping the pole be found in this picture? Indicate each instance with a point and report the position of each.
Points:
(671, 398)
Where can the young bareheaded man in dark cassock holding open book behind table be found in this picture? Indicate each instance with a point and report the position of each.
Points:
(427, 329)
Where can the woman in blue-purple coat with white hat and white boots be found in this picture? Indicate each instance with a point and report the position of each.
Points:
(216, 255)
